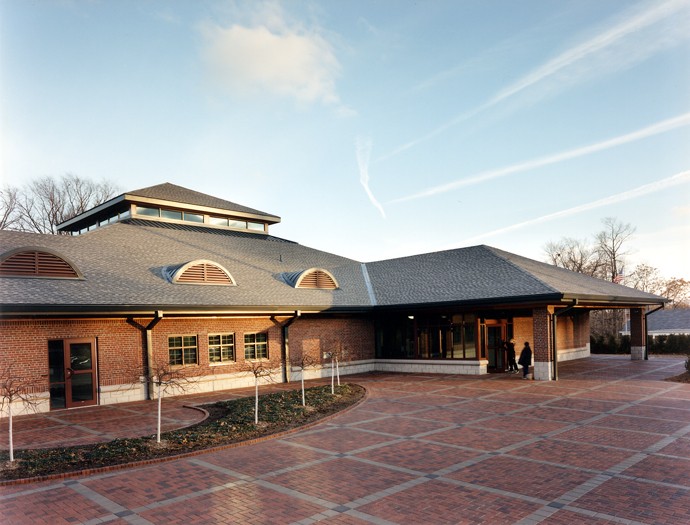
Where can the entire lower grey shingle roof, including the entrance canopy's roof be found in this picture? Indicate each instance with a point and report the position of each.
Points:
(128, 264)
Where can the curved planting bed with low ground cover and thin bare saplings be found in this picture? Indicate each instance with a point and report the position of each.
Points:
(229, 422)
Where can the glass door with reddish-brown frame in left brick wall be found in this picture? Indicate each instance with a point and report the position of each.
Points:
(72, 373)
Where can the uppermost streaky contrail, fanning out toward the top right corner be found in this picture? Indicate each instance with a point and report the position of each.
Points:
(591, 49)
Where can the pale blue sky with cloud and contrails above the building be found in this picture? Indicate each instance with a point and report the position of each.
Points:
(376, 128)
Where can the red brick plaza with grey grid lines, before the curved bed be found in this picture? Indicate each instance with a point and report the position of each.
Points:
(608, 443)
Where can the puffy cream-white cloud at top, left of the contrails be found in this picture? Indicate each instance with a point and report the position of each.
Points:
(272, 55)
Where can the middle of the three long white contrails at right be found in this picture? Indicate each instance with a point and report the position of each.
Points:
(654, 129)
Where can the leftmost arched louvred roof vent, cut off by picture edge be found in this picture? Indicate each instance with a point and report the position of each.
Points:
(33, 262)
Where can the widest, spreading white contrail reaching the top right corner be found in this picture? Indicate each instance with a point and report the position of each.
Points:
(637, 36)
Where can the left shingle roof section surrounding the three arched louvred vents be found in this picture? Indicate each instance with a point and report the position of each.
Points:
(125, 264)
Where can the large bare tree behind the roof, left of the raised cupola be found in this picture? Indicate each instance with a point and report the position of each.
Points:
(46, 202)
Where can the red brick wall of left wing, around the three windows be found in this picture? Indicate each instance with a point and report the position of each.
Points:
(120, 345)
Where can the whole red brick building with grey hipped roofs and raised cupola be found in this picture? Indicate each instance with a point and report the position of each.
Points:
(166, 276)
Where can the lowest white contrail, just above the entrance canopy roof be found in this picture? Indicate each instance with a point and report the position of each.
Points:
(679, 178)
